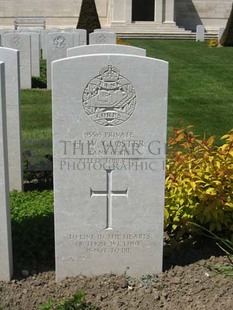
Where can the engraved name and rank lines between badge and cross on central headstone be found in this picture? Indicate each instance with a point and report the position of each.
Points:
(110, 151)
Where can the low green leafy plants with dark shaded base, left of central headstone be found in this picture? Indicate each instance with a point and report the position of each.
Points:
(32, 228)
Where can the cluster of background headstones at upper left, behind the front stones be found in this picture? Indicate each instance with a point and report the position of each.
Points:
(49, 44)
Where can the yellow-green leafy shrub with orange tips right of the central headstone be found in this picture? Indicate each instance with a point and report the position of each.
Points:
(199, 183)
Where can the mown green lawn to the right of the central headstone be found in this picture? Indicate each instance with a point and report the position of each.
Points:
(200, 84)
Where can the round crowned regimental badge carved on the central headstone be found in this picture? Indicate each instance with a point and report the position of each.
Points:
(109, 99)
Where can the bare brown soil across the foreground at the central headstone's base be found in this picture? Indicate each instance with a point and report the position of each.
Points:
(193, 278)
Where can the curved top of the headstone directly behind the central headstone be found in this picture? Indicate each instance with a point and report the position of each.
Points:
(105, 48)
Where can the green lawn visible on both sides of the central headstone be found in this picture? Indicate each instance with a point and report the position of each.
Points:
(200, 92)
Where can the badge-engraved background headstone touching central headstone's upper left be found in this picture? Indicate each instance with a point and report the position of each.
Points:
(57, 45)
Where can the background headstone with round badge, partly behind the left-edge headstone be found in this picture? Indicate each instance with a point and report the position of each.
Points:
(21, 42)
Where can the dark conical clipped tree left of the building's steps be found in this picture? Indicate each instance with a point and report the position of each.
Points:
(88, 18)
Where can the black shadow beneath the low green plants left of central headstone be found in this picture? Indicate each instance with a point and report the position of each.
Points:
(33, 245)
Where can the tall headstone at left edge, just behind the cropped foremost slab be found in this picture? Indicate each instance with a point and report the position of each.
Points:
(12, 80)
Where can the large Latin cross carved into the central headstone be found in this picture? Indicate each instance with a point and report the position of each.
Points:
(109, 193)
